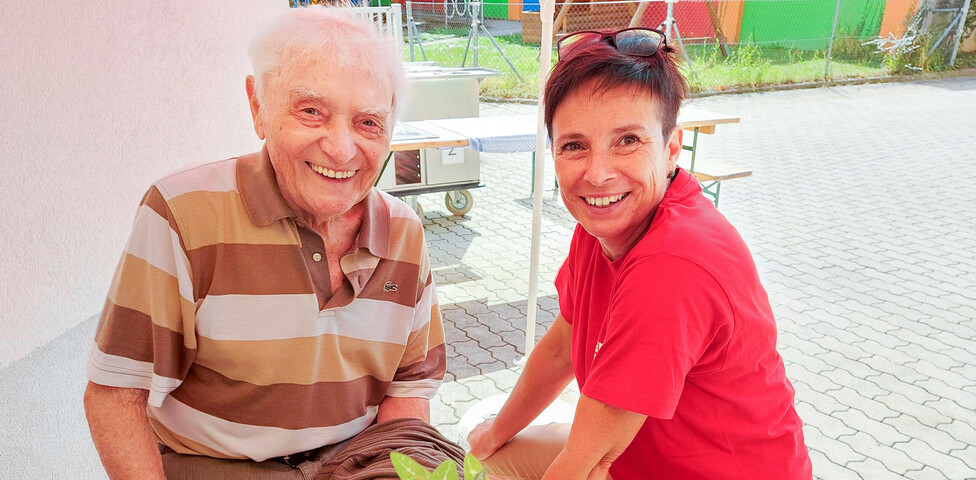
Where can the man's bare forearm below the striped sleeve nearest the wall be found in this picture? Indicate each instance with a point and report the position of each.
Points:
(120, 429)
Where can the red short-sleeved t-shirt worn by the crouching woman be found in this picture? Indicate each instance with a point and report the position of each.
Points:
(680, 329)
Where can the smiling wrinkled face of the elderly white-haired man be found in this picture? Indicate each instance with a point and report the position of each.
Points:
(327, 130)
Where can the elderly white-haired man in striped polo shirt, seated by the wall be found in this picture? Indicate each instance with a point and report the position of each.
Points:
(273, 315)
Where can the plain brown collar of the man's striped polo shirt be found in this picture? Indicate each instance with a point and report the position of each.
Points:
(265, 205)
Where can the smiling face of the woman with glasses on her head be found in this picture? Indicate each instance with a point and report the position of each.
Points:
(612, 161)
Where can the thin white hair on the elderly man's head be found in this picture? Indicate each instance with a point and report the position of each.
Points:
(332, 33)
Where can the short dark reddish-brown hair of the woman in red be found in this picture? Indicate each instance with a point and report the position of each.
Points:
(600, 62)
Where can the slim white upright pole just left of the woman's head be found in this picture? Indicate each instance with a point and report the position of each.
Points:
(547, 9)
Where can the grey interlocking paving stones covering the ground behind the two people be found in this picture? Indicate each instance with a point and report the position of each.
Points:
(862, 220)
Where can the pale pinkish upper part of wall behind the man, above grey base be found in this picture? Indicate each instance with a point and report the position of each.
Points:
(98, 99)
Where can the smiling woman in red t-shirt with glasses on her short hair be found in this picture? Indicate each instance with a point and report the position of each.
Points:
(663, 320)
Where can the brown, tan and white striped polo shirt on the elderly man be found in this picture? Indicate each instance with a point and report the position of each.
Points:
(221, 308)
